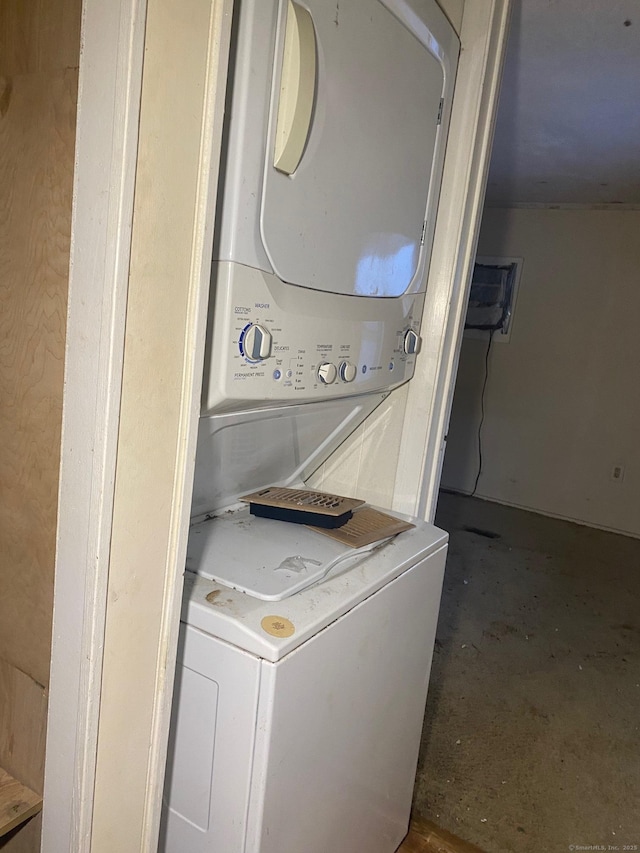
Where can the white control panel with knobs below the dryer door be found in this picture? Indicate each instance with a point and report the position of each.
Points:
(275, 343)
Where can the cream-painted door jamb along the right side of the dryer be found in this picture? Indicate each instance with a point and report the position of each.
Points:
(430, 393)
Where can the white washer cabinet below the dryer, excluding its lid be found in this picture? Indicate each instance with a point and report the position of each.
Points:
(297, 722)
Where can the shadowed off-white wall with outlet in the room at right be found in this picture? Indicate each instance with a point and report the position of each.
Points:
(562, 405)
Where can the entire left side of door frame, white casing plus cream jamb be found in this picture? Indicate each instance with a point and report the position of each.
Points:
(102, 378)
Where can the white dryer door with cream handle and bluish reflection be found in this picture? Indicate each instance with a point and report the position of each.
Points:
(350, 218)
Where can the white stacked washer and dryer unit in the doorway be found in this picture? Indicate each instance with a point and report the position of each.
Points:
(303, 664)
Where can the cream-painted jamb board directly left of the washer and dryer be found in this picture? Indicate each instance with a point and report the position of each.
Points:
(186, 54)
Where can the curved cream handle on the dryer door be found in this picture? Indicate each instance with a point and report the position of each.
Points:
(297, 89)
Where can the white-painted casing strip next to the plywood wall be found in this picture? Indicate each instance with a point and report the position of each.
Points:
(106, 144)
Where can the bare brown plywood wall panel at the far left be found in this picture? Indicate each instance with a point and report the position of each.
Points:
(38, 90)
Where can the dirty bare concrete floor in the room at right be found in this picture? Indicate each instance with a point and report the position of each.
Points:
(531, 737)
